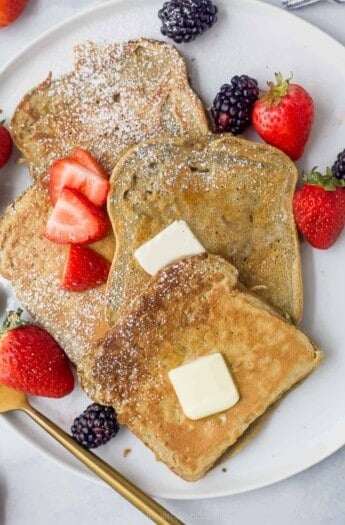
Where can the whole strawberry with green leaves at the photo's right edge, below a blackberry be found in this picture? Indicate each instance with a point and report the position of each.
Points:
(319, 208)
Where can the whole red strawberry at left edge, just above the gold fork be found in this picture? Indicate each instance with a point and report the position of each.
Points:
(32, 361)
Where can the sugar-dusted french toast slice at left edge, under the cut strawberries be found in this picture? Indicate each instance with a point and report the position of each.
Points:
(35, 265)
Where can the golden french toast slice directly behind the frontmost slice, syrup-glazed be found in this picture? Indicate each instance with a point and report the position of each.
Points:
(234, 194)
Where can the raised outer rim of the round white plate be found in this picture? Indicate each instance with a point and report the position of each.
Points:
(5, 70)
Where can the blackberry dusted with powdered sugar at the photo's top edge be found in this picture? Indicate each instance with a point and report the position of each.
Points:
(184, 20)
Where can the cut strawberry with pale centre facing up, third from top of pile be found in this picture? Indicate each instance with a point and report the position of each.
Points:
(75, 219)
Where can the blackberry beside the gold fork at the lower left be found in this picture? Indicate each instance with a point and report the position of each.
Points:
(95, 426)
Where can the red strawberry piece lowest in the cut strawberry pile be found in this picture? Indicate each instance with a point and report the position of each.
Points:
(84, 269)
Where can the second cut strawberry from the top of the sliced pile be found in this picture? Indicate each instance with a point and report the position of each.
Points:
(69, 173)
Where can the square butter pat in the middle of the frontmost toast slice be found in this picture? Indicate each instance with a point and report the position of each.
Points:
(204, 386)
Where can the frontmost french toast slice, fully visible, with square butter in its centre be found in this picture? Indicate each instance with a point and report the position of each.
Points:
(190, 309)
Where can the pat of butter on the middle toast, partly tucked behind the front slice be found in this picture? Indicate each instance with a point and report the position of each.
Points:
(171, 244)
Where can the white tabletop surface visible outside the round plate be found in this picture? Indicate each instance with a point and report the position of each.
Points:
(37, 491)
